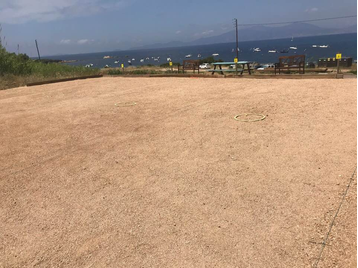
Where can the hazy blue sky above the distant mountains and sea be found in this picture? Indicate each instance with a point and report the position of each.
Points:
(80, 26)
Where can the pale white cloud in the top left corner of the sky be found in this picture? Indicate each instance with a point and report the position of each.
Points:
(21, 11)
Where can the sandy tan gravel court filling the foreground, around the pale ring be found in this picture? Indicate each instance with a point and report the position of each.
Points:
(175, 181)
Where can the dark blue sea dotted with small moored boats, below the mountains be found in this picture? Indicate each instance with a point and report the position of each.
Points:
(343, 43)
